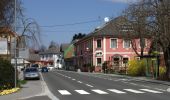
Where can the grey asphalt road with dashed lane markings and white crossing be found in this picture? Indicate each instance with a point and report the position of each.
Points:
(83, 86)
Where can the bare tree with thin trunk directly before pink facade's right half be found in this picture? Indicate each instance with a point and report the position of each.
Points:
(136, 15)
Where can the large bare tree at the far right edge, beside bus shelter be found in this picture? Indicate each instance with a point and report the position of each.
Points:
(159, 23)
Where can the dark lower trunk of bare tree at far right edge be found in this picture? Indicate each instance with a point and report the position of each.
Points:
(167, 61)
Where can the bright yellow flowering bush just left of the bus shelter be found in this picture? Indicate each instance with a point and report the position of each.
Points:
(136, 67)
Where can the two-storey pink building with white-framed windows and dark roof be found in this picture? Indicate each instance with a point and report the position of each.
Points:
(107, 44)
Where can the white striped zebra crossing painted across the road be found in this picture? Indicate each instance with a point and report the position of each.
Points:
(109, 91)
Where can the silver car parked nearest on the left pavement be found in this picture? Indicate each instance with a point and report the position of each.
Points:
(31, 73)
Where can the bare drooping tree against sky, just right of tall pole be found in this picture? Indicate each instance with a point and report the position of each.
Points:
(30, 34)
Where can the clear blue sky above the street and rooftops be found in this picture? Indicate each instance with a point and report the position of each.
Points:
(62, 12)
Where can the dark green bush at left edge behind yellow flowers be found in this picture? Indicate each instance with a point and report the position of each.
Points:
(6, 74)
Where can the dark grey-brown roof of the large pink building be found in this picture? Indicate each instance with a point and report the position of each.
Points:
(117, 27)
